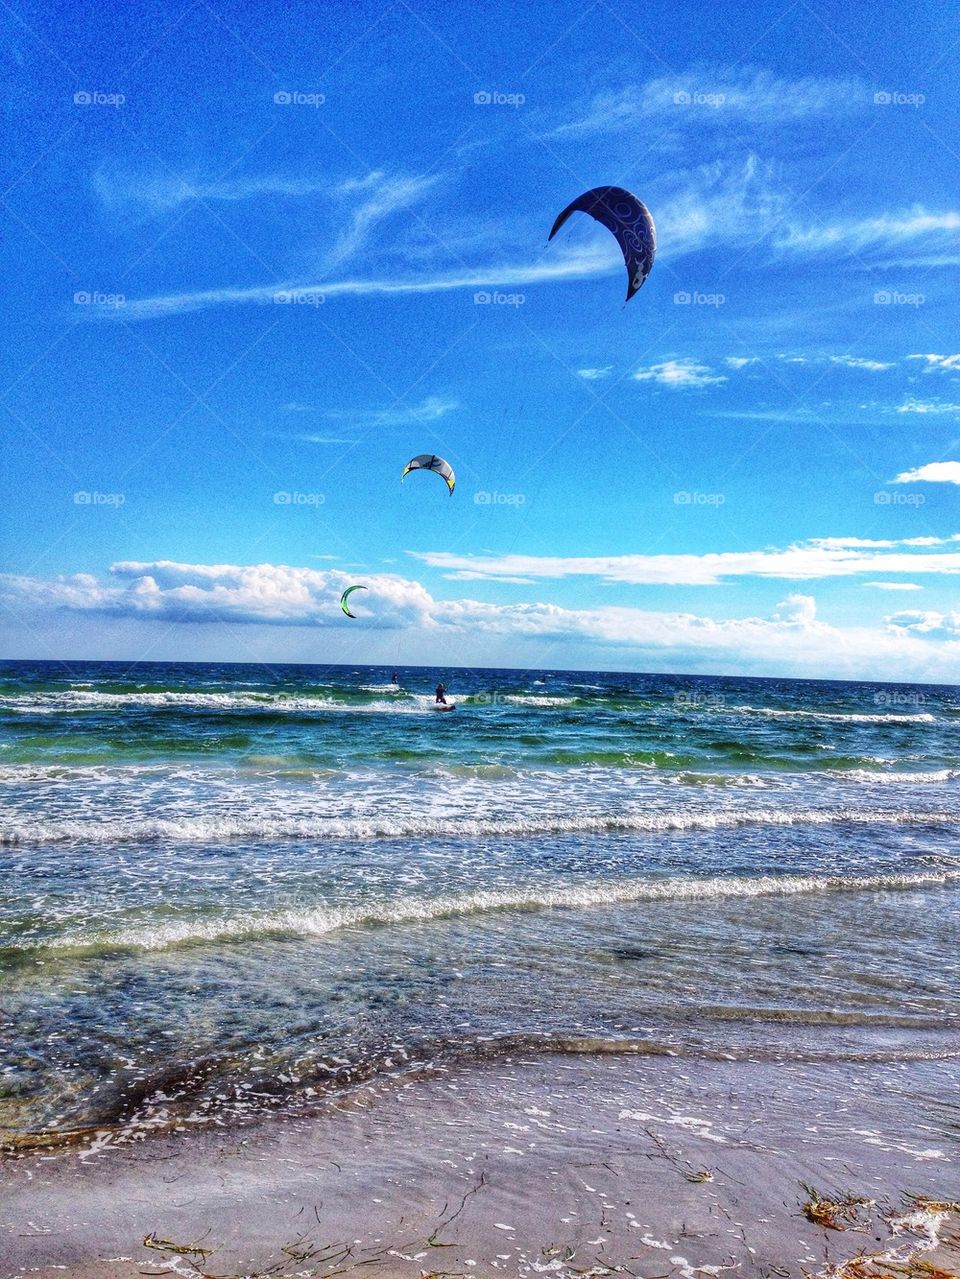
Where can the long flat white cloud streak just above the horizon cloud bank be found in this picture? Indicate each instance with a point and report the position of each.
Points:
(812, 561)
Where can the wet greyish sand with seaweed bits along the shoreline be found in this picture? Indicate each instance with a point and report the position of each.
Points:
(529, 1166)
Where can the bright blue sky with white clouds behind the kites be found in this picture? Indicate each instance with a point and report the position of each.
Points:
(244, 250)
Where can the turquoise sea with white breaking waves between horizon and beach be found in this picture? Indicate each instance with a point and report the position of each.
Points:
(227, 888)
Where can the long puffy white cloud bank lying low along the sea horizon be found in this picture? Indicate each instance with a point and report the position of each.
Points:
(793, 641)
